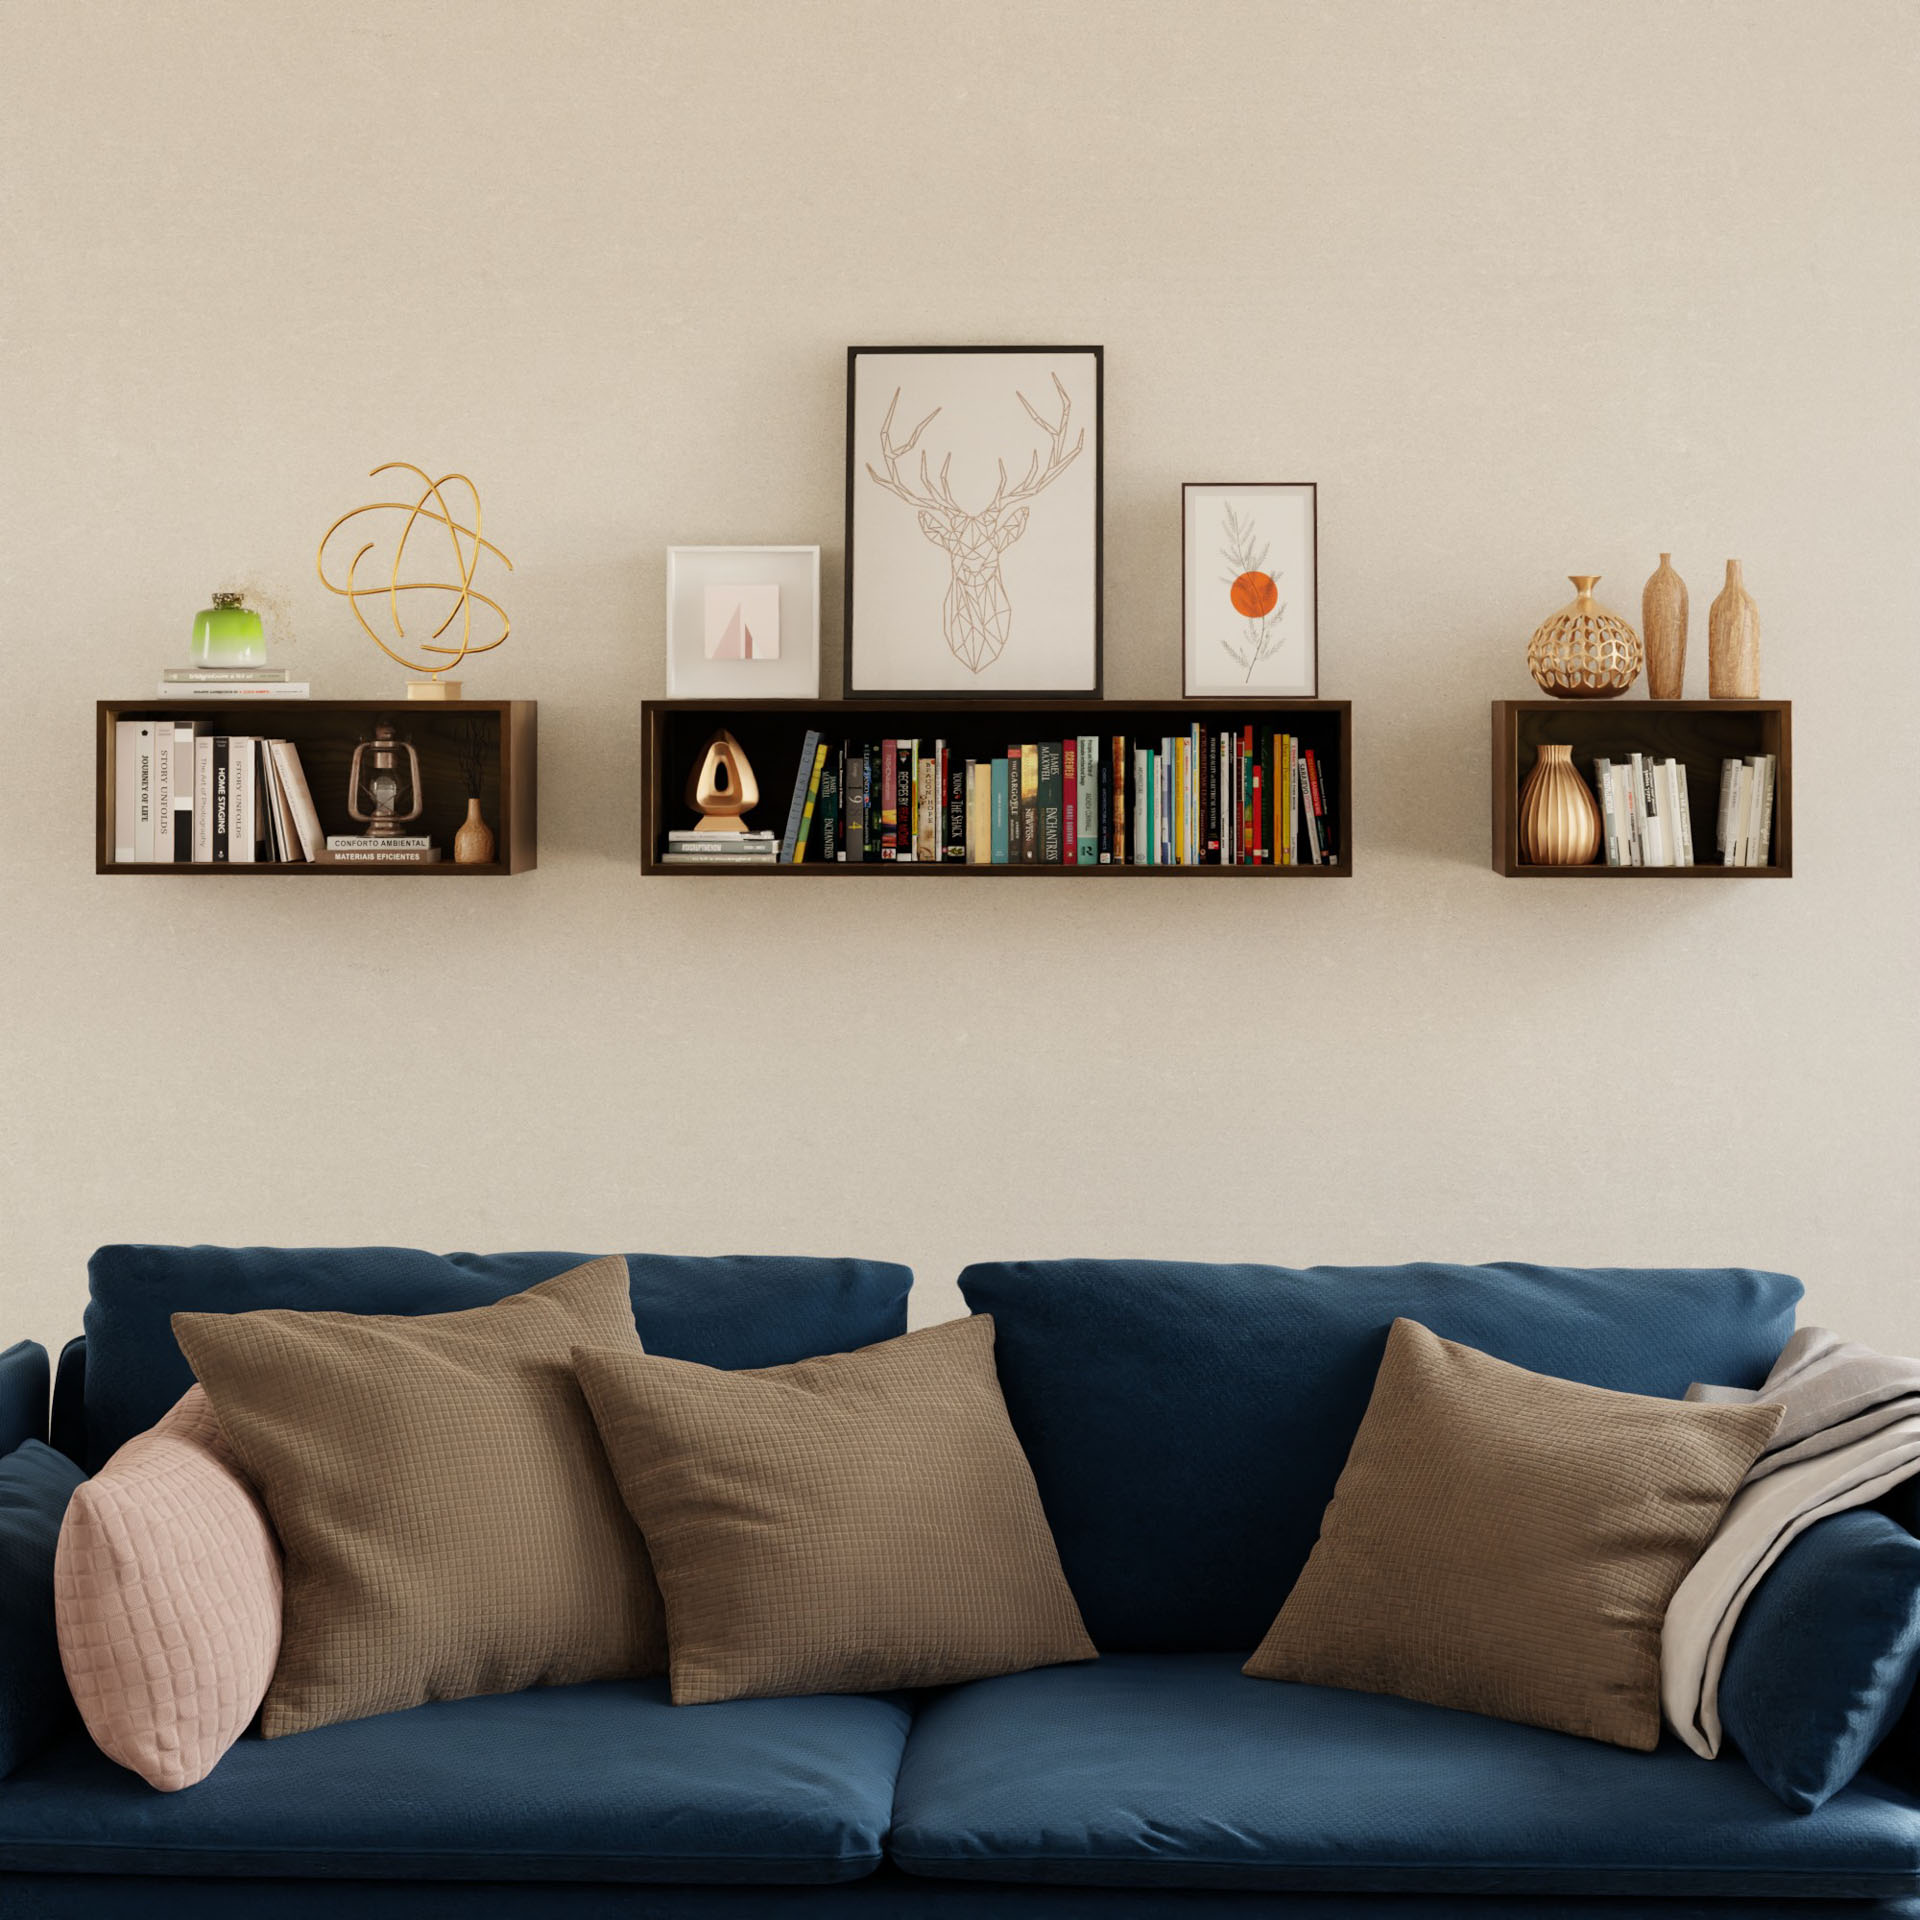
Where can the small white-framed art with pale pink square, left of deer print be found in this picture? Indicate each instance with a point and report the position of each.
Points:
(744, 623)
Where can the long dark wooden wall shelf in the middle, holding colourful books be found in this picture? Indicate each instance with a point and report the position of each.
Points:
(773, 734)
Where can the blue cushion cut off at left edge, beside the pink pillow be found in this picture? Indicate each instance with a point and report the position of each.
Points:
(36, 1487)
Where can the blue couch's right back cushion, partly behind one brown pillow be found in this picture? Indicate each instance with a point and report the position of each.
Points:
(1188, 1424)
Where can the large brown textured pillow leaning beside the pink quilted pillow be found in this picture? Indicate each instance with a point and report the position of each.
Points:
(443, 1500)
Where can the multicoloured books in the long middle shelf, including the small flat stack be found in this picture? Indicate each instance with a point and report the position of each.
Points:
(1205, 798)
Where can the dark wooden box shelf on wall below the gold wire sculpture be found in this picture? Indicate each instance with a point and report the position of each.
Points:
(325, 734)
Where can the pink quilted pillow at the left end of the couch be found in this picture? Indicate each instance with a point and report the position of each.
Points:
(168, 1600)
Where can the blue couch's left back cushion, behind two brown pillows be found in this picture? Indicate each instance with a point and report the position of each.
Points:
(727, 1312)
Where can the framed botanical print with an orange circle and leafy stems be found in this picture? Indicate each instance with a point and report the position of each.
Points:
(1251, 588)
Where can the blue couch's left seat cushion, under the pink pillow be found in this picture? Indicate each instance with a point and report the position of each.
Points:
(587, 1783)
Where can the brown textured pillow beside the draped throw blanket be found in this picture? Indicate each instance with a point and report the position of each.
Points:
(1508, 1543)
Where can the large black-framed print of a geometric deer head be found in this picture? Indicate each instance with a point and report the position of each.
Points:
(974, 521)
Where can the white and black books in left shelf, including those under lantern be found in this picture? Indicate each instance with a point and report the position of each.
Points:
(189, 796)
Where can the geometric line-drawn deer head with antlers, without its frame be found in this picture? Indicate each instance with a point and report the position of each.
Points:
(976, 617)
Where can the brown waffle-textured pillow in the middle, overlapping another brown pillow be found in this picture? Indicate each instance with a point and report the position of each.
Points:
(840, 1525)
